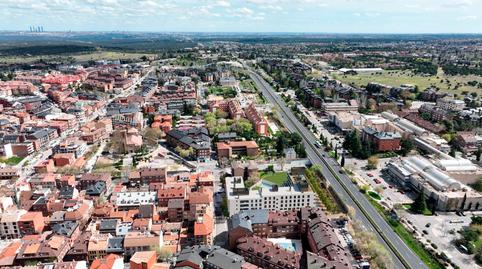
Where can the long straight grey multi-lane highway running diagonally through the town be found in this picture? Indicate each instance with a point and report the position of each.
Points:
(347, 191)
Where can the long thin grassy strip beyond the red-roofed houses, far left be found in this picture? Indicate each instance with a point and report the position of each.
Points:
(81, 57)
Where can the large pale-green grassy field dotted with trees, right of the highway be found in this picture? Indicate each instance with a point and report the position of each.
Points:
(396, 78)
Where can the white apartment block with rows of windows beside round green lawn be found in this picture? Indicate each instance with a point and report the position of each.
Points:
(283, 198)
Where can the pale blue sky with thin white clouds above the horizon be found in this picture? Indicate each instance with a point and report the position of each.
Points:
(320, 16)
